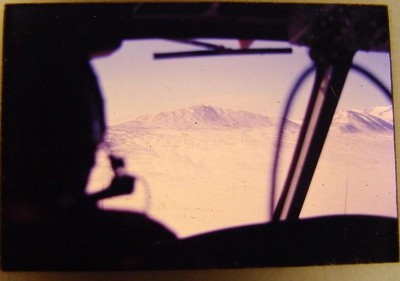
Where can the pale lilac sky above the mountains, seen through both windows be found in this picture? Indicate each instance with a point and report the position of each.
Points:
(134, 84)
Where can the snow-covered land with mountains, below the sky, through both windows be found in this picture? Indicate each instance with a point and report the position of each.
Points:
(203, 168)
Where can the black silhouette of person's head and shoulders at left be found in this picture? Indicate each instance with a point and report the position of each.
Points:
(52, 124)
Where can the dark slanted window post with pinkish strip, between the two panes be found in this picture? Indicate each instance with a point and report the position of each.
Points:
(328, 85)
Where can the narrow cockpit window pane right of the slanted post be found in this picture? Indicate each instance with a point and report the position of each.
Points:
(356, 171)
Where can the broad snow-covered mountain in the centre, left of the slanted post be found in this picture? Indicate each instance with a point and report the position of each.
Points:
(202, 117)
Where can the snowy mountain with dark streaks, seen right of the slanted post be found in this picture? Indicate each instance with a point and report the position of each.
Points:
(377, 119)
